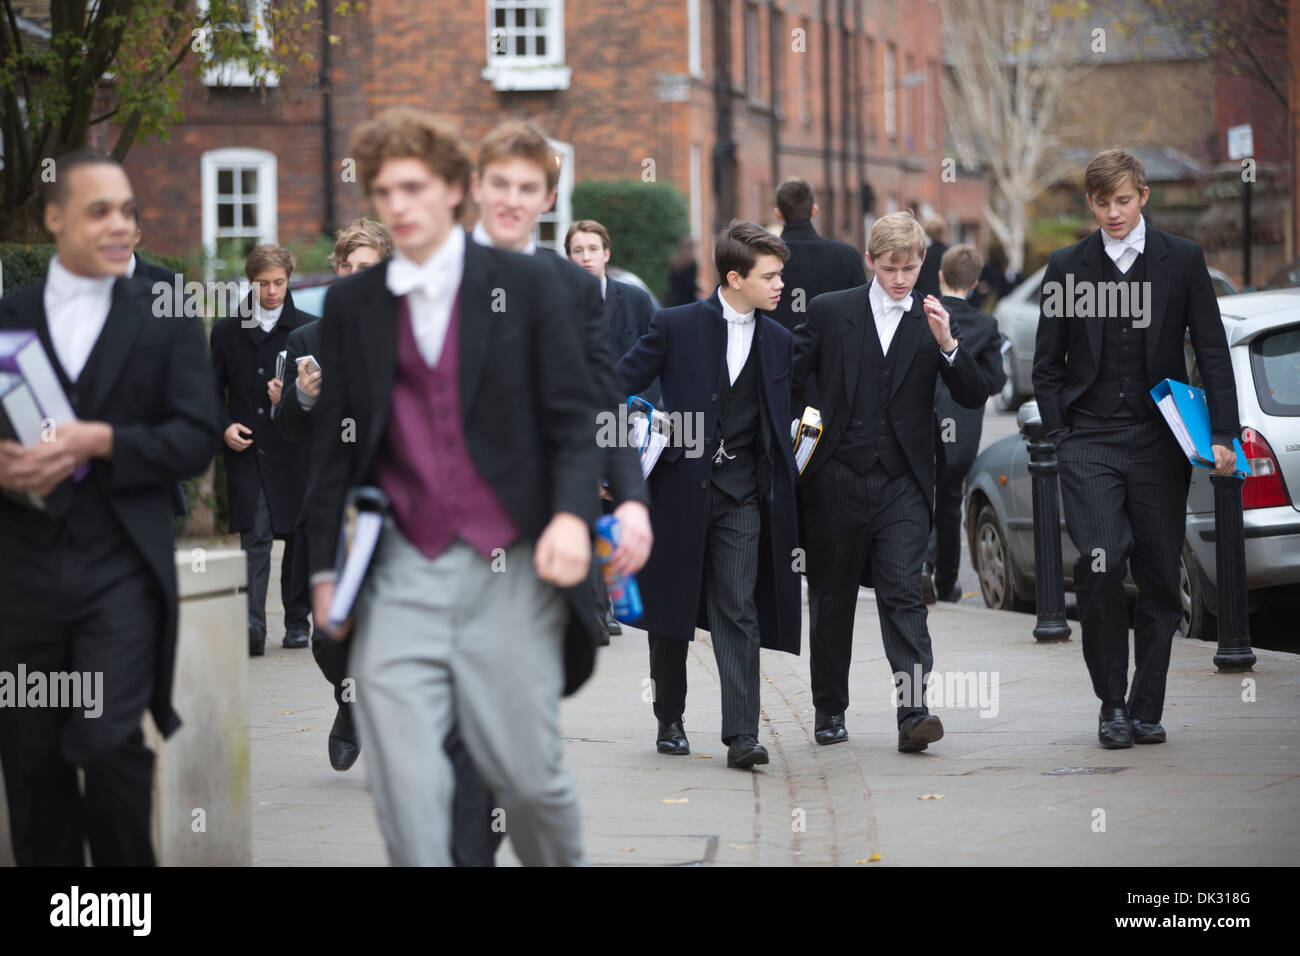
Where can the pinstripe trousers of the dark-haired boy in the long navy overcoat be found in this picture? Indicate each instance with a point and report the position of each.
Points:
(731, 574)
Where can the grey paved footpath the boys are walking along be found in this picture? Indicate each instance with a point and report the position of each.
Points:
(1024, 785)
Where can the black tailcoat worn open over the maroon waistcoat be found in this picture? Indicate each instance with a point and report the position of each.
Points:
(528, 417)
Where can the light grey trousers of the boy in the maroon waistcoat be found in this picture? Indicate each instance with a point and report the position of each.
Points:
(453, 642)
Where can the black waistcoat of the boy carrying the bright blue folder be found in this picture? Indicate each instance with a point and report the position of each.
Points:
(1120, 390)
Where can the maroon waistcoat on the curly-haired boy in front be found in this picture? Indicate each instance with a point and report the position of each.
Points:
(426, 469)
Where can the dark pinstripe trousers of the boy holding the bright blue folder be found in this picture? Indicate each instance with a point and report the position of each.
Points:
(1124, 490)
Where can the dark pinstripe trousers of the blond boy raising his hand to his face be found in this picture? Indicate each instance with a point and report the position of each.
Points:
(848, 521)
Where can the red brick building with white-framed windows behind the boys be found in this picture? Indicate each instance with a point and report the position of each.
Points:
(721, 98)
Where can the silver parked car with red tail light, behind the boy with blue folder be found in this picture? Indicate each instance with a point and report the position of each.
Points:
(1264, 344)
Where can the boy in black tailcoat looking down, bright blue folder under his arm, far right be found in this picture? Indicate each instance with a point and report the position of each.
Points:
(1124, 478)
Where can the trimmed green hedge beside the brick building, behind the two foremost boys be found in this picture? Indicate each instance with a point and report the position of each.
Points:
(645, 223)
